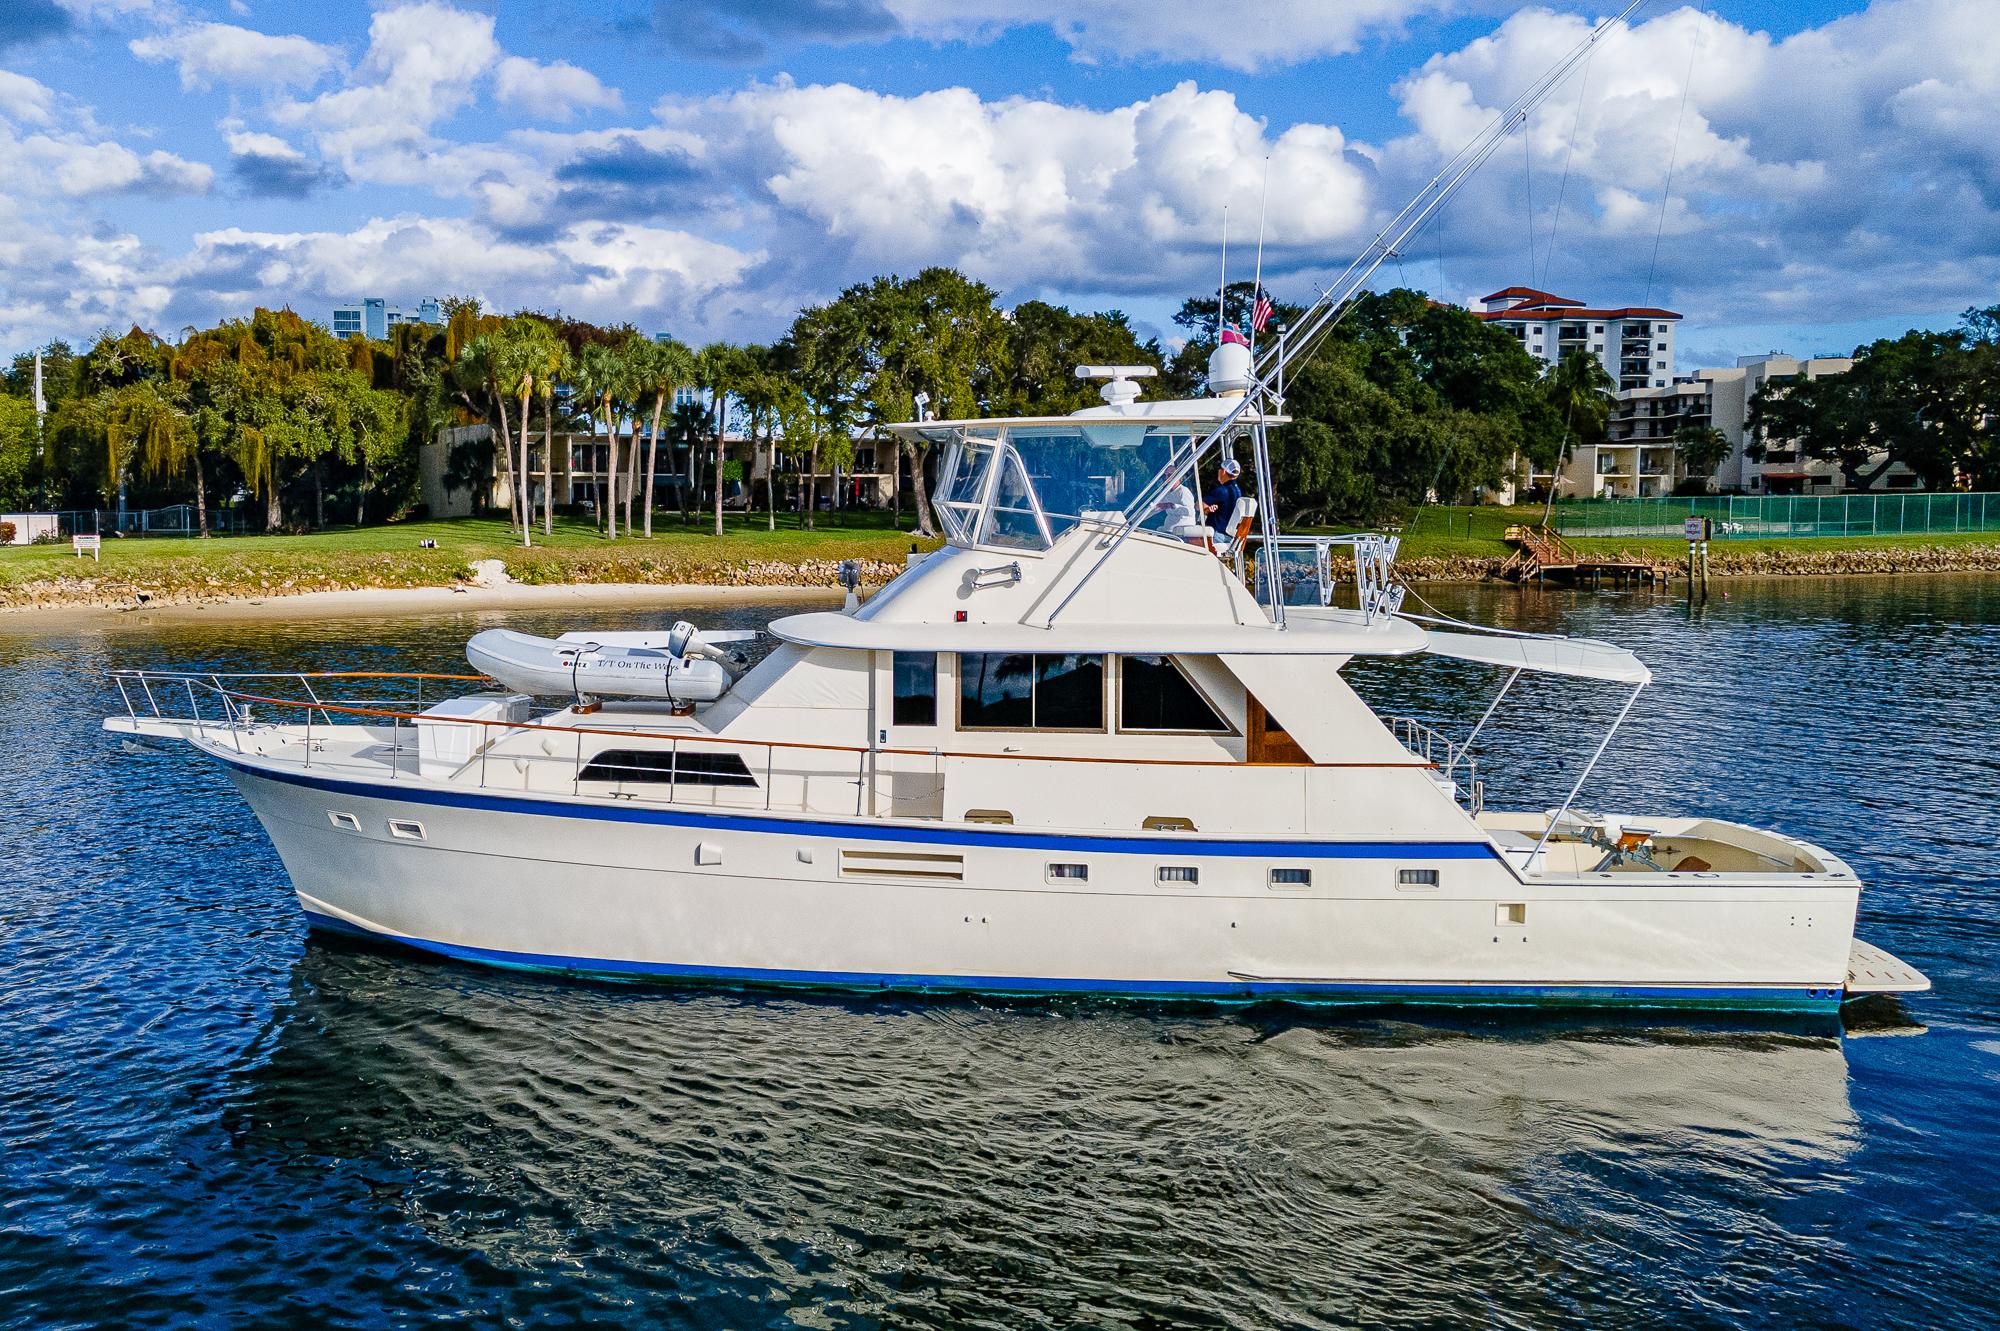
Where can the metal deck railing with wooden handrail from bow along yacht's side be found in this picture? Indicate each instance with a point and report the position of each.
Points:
(227, 714)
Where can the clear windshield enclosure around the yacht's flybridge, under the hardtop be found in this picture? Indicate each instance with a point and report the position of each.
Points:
(1023, 487)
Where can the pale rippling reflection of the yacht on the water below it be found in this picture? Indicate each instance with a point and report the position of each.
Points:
(565, 1148)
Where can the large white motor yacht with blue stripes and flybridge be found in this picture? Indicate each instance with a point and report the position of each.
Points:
(1089, 746)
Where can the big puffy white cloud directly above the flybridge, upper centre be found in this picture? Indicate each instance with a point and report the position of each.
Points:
(1019, 193)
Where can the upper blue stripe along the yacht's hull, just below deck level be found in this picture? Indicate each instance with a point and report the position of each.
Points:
(875, 830)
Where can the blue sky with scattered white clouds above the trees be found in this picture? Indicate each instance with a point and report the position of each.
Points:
(707, 167)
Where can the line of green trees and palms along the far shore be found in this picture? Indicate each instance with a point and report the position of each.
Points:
(1407, 403)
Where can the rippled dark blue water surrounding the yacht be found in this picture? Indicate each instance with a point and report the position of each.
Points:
(209, 1120)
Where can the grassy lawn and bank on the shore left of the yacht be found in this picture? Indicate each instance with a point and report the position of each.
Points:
(393, 557)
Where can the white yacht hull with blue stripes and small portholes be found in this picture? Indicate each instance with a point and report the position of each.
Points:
(697, 896)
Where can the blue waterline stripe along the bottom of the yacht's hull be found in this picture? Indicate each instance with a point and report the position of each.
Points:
(1181, 990)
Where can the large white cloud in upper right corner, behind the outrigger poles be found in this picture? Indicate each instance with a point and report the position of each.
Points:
(1791, 161)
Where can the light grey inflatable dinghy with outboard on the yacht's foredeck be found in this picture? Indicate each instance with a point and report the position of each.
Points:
(681, 666)
